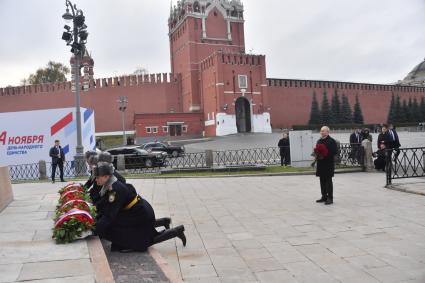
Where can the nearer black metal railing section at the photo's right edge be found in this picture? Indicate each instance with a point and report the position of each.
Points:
(405, 163)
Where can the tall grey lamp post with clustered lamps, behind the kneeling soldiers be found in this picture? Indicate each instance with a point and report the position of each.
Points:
(77, 38)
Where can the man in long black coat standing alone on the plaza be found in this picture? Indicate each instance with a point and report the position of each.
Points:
(326, 166)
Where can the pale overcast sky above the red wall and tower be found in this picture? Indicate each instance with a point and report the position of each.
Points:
(377, 41)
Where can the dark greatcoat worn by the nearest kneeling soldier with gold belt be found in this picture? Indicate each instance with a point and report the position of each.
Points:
(127, 229)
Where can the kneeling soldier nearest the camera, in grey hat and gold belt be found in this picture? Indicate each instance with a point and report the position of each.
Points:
(127, 220)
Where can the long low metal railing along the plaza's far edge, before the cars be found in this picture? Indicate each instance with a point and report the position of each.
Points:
(347, 156)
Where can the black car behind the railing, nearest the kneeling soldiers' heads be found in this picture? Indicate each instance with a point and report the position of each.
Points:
(136, 158)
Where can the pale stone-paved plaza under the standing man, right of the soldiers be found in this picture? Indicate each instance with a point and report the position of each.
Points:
(269, 229)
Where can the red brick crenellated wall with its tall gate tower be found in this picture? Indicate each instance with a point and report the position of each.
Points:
(214, 88)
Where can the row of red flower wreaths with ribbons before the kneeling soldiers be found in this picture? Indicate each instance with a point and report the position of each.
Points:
(75, 216)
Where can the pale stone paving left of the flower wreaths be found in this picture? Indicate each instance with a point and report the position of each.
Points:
(27, 251)
